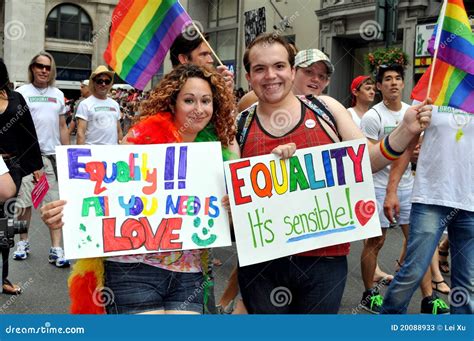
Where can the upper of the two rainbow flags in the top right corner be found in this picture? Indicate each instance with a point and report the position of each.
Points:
(456, 40)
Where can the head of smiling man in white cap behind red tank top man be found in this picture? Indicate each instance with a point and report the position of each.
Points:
(313, 72)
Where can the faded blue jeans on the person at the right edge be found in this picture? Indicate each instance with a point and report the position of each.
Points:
(427, 224)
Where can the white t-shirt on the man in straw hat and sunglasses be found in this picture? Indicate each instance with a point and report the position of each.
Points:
(101, 116)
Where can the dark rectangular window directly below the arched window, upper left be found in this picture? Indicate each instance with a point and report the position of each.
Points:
(72, 66)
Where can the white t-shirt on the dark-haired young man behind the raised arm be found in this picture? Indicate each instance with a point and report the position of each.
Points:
(377, 123)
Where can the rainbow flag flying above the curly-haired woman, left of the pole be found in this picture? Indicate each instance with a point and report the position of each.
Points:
(141, 35)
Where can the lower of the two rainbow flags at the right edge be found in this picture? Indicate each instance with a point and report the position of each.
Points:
(451, 86)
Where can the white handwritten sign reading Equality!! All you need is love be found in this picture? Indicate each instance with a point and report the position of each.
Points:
(134, 199)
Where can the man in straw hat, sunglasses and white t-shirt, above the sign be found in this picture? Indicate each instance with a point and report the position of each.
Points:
(98, 115)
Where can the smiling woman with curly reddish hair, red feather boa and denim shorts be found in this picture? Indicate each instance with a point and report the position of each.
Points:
(190, 104)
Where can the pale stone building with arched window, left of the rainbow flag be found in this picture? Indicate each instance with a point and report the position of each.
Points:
(75, 33)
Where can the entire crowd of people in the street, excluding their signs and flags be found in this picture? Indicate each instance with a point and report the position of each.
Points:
(197, 98)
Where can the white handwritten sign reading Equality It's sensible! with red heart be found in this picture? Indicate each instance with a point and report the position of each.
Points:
(321, 196)
